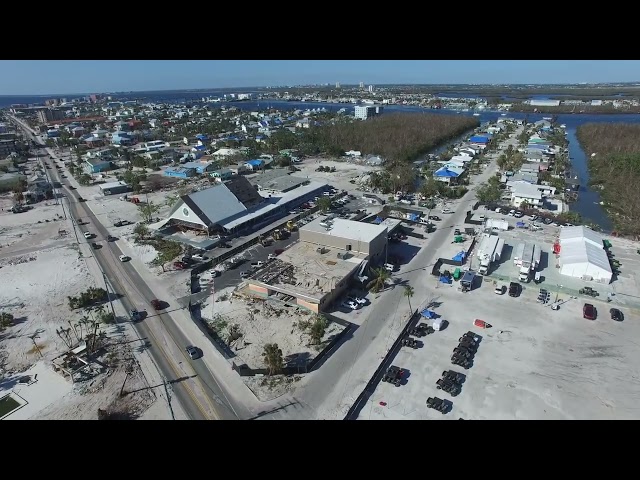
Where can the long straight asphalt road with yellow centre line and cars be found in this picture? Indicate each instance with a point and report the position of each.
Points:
(180, 372)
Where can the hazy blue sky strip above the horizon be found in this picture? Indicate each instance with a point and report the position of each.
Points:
(40, 77)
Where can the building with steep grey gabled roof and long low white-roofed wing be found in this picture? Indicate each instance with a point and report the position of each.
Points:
(235, 205)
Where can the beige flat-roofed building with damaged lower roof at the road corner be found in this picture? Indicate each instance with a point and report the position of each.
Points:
(316, 271)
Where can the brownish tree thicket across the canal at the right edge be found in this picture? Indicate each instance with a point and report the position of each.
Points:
(613, 155)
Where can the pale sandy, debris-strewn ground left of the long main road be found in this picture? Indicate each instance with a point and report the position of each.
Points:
(40, 269)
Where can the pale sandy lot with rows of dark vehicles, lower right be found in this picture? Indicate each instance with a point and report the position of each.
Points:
(533, 363)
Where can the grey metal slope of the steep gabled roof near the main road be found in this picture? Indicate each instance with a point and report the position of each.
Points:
(216, 204)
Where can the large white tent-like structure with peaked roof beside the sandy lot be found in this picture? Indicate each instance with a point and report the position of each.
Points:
(582, 255)
